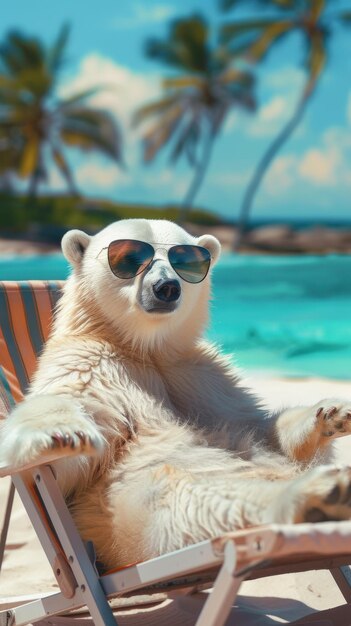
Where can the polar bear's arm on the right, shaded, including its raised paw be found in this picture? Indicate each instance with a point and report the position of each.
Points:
(208, 390)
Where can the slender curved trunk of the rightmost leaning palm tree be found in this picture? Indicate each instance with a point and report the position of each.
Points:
(263, 166)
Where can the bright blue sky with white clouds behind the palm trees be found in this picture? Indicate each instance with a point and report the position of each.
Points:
(311, 178)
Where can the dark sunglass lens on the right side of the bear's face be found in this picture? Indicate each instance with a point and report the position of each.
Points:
(190, 262)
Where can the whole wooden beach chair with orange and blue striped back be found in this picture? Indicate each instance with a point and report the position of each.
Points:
(221, 563)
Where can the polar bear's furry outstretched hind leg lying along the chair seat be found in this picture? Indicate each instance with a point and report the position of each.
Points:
(174, 509)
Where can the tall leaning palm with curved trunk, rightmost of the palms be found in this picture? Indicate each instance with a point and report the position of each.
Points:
(255, 38)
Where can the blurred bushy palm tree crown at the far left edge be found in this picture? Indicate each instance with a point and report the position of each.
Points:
(35, 124)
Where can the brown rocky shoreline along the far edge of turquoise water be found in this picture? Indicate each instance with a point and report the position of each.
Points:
(278, 238)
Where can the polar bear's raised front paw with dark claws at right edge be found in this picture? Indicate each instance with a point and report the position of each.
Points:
(304, 433)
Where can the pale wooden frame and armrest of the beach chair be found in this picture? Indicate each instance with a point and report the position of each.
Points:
(222, 563)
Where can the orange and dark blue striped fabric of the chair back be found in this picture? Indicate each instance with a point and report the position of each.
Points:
(26, 309)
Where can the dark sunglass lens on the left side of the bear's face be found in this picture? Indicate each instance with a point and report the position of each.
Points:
(128, 257)
